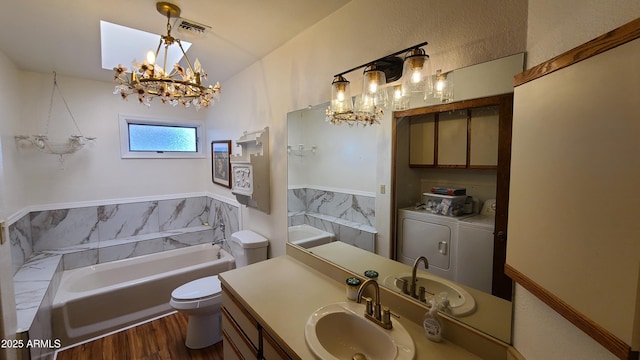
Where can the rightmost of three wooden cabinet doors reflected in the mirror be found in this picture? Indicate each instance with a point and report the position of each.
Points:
(483, 137)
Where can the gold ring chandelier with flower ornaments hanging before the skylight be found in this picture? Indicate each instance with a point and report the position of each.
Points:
(177, 85)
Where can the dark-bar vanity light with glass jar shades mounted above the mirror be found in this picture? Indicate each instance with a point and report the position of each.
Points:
(374, 97)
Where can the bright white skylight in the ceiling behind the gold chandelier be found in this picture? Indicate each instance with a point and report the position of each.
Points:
(123, 45)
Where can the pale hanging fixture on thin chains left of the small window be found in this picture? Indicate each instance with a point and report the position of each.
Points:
(42, 142)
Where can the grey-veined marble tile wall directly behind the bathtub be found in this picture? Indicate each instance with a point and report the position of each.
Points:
(95, 234)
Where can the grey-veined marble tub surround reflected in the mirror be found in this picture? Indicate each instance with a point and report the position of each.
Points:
(350, 217)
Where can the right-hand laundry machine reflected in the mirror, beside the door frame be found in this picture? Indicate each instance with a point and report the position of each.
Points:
(475, 248)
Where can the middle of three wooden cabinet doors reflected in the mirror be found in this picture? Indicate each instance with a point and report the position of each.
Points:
(452, 139)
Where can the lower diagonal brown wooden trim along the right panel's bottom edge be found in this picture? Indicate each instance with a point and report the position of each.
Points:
(618, 347)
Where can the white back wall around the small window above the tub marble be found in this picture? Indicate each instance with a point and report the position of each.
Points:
(96, 172)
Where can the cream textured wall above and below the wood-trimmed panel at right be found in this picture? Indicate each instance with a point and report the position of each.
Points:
(553, 28)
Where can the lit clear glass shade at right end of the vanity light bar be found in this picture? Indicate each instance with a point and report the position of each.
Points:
(416, 72)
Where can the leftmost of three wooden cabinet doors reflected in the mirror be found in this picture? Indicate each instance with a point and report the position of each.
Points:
(422, 140)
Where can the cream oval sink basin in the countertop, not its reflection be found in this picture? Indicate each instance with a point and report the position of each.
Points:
(340, 331)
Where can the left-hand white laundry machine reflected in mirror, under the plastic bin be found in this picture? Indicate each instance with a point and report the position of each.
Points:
(422, 233)
